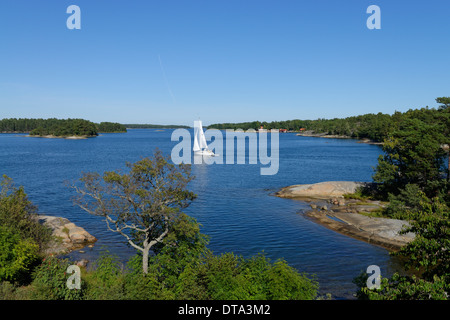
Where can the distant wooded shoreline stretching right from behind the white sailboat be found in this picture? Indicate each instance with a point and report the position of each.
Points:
(375, 127)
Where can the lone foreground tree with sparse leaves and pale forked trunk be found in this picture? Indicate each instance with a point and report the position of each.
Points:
(141, 205)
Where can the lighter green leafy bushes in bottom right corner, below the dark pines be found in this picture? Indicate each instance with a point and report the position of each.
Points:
(426, 255)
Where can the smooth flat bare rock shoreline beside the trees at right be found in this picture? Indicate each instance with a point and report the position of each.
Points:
(349, 216)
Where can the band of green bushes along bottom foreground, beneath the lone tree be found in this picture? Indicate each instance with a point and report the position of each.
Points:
(209, 277)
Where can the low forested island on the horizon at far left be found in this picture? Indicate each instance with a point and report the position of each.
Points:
(58, 127)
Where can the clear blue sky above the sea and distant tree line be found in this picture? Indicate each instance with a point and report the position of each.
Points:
(221, 60)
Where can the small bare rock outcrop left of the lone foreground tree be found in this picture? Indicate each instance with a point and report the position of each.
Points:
(68, 236)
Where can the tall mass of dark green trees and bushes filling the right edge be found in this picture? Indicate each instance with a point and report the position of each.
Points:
(413, 175)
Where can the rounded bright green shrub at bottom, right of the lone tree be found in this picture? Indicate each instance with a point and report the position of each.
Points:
(231, 277)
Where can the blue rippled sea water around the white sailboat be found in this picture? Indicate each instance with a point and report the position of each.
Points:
(235, 205)
